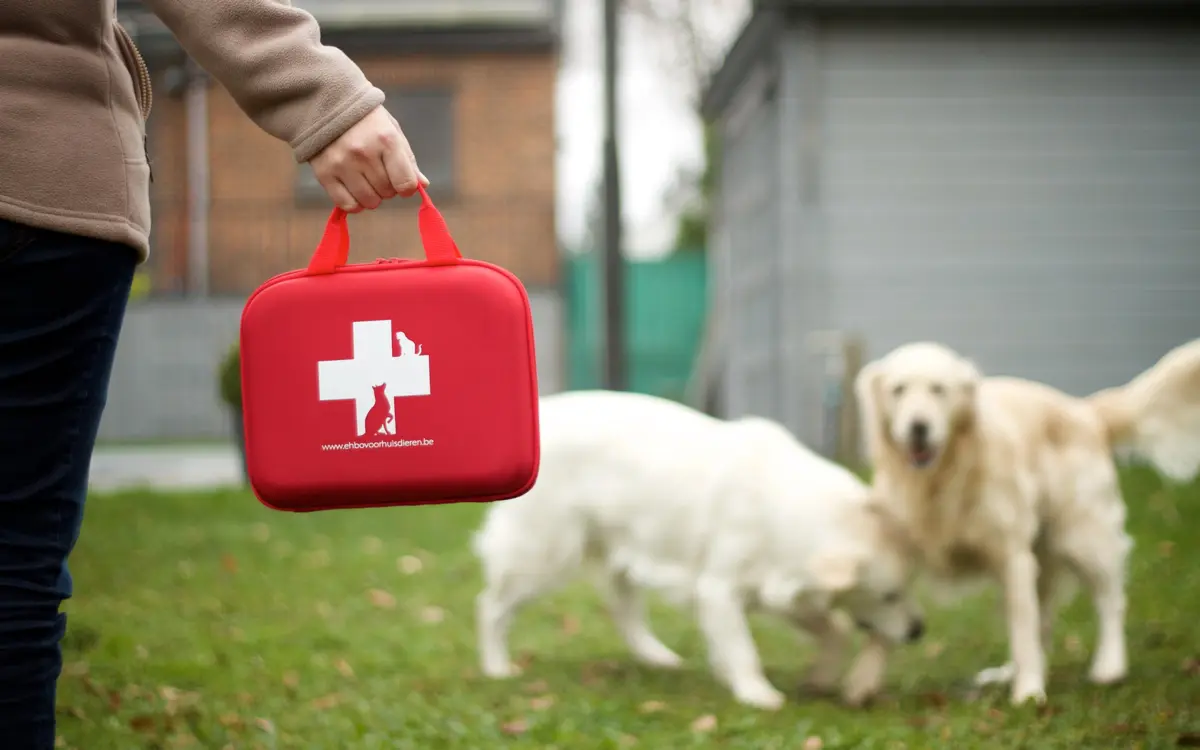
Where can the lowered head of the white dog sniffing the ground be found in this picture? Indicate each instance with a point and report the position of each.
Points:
(873, 581)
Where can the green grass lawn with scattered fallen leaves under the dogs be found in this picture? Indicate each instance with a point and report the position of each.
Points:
(206, 621)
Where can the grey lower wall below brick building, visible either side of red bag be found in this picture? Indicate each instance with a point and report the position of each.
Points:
(165, 388)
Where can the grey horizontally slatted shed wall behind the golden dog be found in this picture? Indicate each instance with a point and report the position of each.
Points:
(1029, 195)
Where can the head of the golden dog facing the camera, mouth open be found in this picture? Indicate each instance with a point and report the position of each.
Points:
(916, 400)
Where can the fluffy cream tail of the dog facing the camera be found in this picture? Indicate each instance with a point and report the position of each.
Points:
(1156, 417)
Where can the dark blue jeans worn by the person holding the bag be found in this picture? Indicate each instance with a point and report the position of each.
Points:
(62, 303)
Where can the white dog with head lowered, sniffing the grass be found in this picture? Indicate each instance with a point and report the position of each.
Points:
(724, 517)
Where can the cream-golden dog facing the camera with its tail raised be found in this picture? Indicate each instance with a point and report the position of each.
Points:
(1016, 481)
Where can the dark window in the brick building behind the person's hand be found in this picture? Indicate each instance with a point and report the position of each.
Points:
(427, 116)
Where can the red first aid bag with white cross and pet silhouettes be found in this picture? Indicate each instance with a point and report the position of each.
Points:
(401, 382)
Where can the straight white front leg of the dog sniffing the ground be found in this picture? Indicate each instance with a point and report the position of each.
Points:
(731, 647)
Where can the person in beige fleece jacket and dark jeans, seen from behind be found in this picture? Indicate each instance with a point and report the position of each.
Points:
(75, 223)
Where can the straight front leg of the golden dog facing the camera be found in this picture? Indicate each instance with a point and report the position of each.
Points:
(1024, 627)
